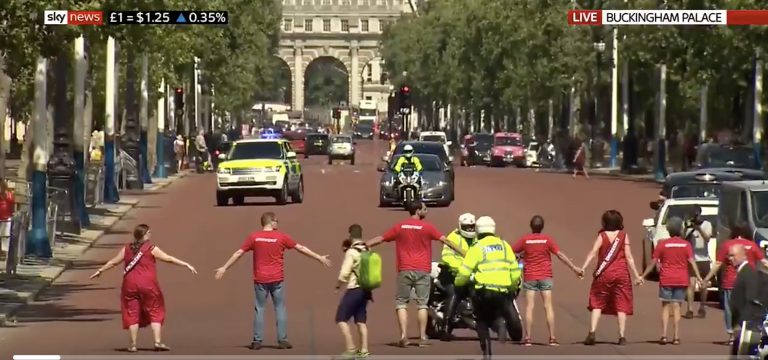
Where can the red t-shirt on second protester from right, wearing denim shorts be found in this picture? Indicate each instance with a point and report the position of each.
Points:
(673, 254)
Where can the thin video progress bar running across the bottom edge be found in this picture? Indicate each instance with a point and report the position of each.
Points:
(380, 357)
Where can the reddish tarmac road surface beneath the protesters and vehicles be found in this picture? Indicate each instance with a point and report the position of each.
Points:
(78, 316)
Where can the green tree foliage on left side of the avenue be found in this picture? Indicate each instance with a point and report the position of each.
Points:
(236, 59)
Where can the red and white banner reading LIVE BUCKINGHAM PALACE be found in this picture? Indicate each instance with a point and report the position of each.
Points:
(668, 17)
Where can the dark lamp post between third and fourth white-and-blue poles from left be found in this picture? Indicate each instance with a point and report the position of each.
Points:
(132, 136)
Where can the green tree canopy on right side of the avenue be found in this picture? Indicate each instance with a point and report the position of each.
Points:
(497, 56)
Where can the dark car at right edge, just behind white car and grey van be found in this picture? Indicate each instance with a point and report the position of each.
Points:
(701, 183)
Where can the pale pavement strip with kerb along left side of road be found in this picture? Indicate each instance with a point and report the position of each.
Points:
(18, 290)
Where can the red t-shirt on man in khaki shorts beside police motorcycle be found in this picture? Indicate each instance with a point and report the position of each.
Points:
(413, 244)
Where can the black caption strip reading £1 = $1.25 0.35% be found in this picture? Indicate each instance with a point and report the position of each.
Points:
(168, 17)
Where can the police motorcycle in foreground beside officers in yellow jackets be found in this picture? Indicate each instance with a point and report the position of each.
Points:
(464, 314)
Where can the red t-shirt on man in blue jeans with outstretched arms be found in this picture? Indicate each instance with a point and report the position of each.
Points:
(268, 253)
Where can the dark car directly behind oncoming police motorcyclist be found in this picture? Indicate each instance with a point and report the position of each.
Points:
(437, 185)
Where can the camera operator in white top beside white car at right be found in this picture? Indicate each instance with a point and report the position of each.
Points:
(698, 232)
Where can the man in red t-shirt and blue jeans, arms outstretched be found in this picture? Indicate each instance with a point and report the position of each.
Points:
(268, 246)
